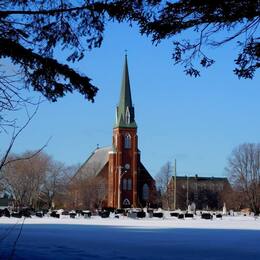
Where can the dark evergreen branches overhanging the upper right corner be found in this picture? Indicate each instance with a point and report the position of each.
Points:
(238, 19)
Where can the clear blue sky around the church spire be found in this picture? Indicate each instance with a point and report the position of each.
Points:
(198, 121)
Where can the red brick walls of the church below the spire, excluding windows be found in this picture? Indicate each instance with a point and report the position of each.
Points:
(137, 173)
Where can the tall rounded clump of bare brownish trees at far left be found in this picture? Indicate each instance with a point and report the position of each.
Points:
(37, 181)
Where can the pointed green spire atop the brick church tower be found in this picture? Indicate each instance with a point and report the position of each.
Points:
(125, 116)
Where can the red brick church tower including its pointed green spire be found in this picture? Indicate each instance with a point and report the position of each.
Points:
(123, 159)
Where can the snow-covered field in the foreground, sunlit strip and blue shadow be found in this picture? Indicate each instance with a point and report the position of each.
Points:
(124, 238)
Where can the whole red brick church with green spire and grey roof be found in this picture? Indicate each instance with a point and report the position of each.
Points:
(127, 181)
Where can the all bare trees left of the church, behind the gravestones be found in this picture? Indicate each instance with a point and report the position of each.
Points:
(37, 181)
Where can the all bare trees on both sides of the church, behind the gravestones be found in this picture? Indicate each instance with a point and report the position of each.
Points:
(41, 182)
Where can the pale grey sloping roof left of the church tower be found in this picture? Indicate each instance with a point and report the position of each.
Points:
(95, 163)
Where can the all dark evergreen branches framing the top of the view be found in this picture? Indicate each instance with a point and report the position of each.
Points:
(30, 32)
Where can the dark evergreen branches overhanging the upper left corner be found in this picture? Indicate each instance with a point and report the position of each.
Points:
(30, 31)
